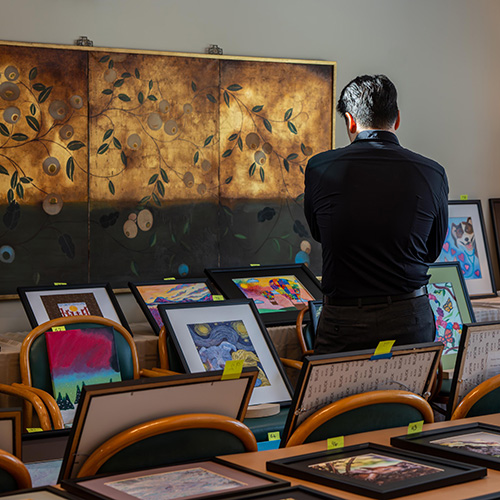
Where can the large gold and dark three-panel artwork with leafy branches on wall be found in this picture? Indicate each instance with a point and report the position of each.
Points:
(169, 164)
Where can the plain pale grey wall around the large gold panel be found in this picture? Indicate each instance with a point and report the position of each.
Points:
(441, 54)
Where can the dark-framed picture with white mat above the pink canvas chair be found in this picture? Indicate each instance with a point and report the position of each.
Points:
(43, 303)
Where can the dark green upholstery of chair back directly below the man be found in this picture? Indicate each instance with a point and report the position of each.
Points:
(365, 419)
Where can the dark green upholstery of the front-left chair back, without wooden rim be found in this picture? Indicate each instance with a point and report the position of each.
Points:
(173, 447)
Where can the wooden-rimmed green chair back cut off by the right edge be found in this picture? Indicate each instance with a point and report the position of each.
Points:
(482, 400)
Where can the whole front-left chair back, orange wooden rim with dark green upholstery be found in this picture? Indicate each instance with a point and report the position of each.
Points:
(160, 442)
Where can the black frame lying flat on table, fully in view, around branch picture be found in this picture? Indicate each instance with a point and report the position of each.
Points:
(449, 472)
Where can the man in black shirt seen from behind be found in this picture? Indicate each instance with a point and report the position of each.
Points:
(380, 213)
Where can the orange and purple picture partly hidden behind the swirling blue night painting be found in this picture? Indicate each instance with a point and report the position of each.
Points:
(154, 295)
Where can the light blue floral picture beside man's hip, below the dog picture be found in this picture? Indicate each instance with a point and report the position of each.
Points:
(448, 320)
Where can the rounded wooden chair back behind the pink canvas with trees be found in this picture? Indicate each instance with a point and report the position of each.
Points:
(34, 361)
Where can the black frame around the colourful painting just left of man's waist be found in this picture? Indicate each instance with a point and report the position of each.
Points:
(223, 279)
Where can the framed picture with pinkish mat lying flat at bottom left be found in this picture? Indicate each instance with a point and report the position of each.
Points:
(207, 479)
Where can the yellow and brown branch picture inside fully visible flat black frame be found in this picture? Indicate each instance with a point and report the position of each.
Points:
(377, 469)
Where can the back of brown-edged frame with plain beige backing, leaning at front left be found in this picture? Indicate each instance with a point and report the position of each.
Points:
(128, 403)
